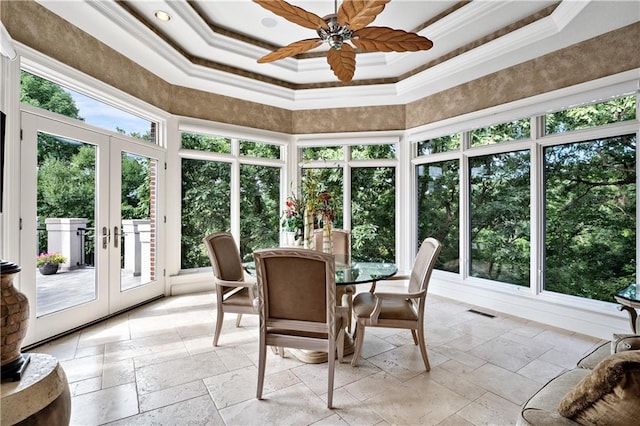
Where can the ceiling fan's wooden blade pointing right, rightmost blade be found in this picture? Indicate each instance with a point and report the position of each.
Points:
(383, 39)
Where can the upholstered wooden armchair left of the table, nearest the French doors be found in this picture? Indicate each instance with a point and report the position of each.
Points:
(235, 293)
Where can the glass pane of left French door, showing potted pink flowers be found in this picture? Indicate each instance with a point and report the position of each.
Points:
(66, 220)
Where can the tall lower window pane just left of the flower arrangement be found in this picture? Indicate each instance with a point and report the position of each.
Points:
(259, 207)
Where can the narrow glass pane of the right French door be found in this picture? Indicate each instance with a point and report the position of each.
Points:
(138, 227)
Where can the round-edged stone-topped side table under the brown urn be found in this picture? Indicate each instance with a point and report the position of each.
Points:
(41, 397)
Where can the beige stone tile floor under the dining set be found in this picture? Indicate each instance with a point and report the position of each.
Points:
(156, 365)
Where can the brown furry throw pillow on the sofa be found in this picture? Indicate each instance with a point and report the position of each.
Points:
(609, 394)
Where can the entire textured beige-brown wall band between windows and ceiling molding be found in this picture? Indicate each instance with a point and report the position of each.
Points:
(34, 26)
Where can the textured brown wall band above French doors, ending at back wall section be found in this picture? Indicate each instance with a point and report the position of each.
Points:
(35, 26)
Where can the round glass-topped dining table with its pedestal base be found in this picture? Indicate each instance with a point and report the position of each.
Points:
(349, 273)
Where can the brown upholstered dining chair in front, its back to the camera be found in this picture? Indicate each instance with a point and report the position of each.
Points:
(297, 306)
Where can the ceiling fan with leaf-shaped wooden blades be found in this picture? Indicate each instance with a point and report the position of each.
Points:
(349, 23)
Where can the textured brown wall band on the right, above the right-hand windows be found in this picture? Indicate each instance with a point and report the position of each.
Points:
(605, 55)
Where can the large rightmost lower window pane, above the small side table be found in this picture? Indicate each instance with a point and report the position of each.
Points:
(590, 209)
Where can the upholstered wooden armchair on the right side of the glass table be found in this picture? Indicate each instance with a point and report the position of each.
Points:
(402, 309)
